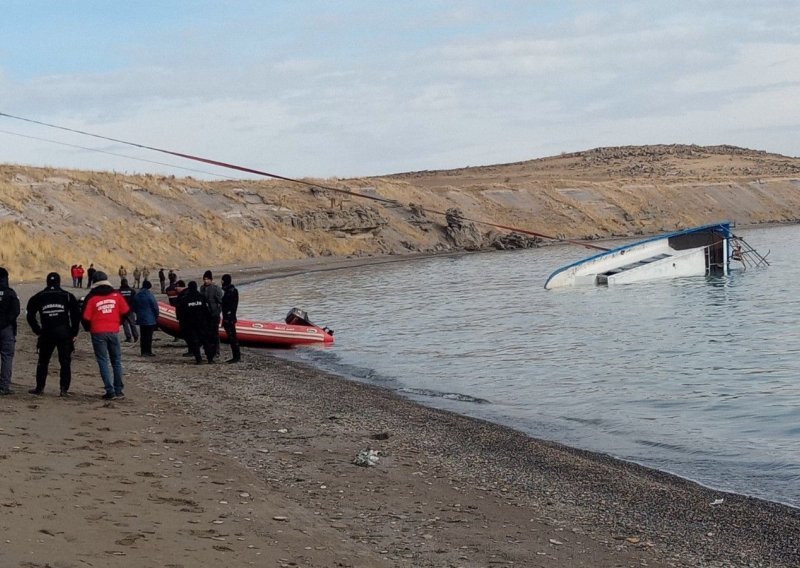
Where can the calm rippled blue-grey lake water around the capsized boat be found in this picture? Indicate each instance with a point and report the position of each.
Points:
(699, 377)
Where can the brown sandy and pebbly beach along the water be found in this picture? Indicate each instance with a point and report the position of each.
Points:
(252, 465)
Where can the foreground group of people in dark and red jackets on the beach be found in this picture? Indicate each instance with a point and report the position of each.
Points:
(55, 316)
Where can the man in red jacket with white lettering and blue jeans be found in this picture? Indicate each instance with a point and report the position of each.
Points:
(103, 311)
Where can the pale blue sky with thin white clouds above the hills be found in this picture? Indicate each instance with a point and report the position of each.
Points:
(350, 88)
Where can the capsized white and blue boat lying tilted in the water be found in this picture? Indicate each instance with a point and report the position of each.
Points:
(699, 251)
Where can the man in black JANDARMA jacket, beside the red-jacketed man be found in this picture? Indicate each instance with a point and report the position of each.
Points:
(59, 318)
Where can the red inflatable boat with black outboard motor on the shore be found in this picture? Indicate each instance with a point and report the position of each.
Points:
(296, 331)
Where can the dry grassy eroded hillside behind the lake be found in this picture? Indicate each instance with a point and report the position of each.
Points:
(51, 219)
